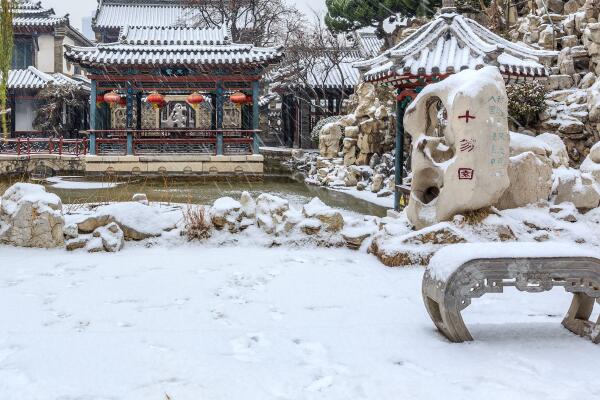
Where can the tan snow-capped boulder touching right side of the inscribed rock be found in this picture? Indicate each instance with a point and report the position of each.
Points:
(530, 181)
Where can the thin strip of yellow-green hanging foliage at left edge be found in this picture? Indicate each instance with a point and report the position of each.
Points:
(6, 48)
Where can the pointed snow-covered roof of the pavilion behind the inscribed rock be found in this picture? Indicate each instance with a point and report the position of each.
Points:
(449, 44)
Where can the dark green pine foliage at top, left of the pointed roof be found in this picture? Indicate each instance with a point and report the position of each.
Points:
(349, 15)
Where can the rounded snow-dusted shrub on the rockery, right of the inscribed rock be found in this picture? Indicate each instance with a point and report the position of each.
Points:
(525, 101)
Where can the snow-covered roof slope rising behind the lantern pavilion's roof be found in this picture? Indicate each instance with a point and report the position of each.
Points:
(116, 14)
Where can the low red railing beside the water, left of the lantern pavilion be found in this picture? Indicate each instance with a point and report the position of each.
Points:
(39, 145)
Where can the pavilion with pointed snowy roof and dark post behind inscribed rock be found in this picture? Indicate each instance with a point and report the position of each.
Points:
(447, 45)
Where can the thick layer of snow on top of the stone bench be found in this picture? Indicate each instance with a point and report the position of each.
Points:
(447, 260)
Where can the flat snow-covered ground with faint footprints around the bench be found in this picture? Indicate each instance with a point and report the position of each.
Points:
(261, 324)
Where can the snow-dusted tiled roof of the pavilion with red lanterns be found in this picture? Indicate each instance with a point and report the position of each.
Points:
(169, 46)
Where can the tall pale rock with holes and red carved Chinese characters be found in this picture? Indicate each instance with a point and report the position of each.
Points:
(474, 153)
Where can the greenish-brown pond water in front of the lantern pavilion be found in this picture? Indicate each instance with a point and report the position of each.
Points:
(76, 190)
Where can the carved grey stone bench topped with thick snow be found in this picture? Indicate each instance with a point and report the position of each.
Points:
(459, 273)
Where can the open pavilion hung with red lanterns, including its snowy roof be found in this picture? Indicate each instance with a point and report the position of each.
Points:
(180, 90)
